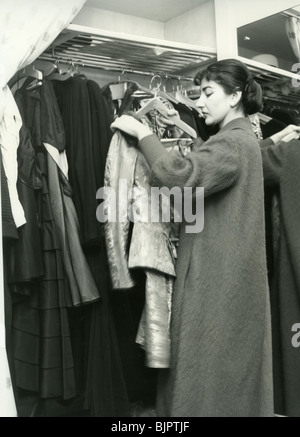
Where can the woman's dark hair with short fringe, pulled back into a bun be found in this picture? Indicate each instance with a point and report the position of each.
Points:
(233, 76)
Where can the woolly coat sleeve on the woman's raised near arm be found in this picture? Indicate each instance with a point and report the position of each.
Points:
(215, 165)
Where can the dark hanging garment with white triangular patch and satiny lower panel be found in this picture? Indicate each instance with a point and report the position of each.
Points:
(81, 282)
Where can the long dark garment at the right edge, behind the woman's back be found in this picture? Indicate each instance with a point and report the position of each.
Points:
(281, 169)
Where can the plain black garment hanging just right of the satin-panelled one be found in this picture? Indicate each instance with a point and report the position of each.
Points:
(74, 105)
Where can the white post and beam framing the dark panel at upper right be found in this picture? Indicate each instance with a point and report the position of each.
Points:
(231, 14)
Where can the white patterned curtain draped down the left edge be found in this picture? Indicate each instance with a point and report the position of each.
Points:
(27, 28)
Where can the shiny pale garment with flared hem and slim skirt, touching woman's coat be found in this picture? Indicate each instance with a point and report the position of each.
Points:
(153, 247)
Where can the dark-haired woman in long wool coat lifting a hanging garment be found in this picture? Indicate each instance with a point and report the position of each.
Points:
(220, 329)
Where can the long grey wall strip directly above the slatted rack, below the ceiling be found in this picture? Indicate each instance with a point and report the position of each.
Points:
(115, 22)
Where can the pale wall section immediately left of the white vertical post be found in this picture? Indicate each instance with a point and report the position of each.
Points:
(194, 27)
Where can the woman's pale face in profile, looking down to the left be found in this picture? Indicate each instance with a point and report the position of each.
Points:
(215, 104)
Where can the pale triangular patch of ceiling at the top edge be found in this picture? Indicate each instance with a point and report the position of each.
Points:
(158, 10)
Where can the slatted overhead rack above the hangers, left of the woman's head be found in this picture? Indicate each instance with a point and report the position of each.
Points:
(121, 52)
